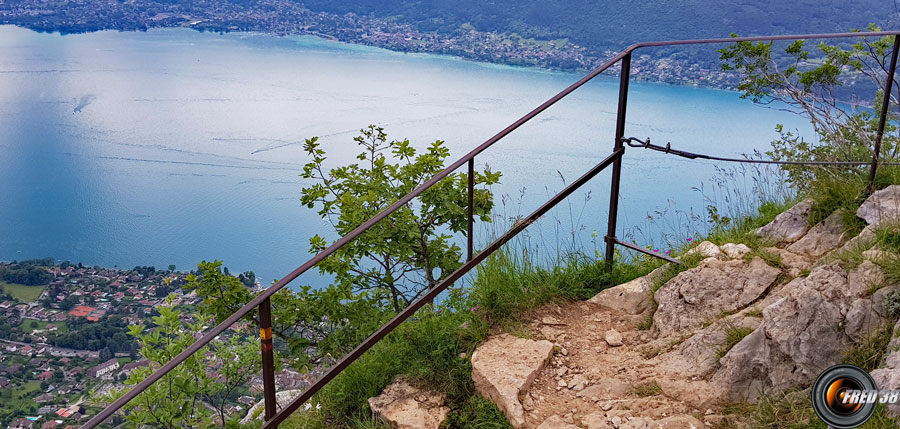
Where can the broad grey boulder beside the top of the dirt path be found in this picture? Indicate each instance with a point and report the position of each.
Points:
(703, 293)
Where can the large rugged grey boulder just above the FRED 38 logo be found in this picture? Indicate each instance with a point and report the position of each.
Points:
(800, 334)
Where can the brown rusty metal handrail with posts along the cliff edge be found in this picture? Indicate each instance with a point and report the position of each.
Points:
(262, 300)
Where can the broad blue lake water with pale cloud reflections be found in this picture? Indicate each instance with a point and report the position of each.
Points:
(172, 146)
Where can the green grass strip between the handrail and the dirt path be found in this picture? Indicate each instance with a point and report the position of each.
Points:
(427, 348)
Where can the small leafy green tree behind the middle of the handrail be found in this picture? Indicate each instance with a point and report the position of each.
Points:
(411, 251)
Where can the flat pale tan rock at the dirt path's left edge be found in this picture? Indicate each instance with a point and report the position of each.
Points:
(504, 366)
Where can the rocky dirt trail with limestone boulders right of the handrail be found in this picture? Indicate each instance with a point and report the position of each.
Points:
(742, 323)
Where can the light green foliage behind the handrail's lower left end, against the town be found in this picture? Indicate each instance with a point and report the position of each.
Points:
(181, 397)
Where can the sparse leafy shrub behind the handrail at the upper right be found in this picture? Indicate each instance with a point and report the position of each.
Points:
(812, 88)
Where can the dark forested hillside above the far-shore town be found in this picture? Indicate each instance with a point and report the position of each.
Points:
(616, 23)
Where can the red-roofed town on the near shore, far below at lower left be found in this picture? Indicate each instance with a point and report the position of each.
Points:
(64, 342)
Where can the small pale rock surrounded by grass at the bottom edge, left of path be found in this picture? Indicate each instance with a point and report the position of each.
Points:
(404, 406)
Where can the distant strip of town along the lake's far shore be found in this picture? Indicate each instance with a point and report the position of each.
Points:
(285, 17)
